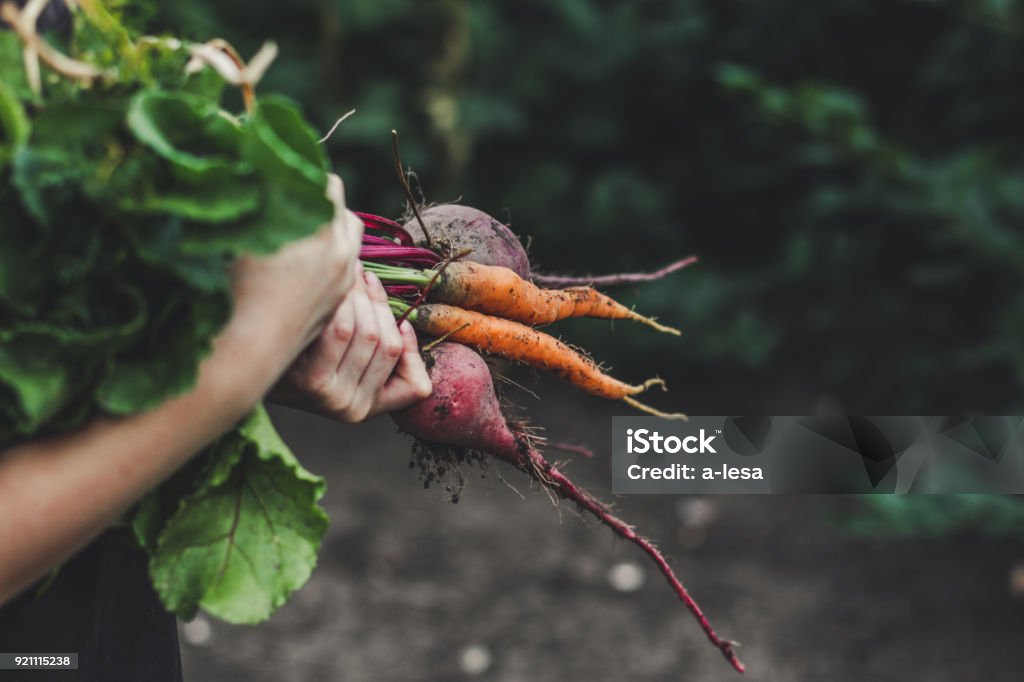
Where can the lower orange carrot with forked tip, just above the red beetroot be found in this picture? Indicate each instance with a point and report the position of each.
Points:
(520, 343)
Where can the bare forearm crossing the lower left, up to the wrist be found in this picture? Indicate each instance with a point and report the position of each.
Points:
(59, 494)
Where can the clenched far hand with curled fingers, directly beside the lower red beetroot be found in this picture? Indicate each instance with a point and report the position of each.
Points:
(362, 365)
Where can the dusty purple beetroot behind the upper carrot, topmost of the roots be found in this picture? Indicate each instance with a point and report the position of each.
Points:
(466, 228)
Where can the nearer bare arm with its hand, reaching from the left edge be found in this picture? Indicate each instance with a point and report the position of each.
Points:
(57, 495)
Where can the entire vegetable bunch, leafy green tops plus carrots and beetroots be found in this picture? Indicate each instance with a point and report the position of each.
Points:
(126, 192)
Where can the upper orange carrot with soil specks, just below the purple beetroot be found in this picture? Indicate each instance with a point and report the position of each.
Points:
(499, 291)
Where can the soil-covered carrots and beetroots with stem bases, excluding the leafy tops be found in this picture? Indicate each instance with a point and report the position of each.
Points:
(477, 297)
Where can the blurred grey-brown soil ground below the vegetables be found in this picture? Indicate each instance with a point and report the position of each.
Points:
(505, 589)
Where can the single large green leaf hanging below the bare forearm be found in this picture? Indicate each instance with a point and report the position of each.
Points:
(248, 537)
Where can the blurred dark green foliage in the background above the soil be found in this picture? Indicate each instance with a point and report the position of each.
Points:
(850, 173)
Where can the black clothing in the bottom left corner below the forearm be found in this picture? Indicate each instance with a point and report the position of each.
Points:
(102, 606)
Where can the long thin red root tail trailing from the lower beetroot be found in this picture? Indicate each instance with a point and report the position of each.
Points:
(550, 477)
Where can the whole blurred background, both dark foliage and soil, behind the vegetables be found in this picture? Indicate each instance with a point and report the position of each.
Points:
(850, 175)
